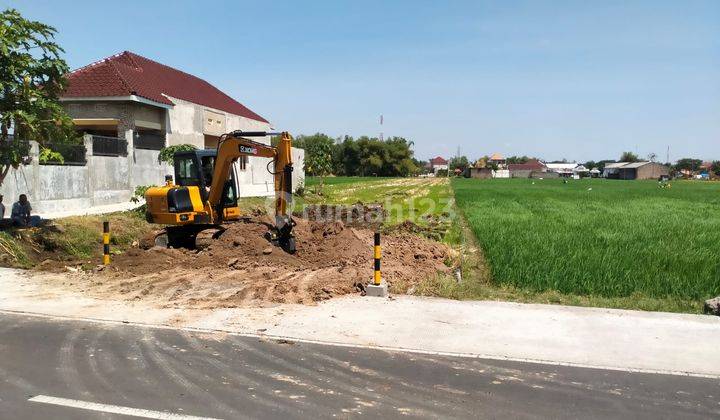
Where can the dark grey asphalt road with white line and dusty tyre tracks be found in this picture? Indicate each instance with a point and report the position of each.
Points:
(123, 368)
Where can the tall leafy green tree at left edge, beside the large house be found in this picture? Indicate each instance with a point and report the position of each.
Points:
(31, 81)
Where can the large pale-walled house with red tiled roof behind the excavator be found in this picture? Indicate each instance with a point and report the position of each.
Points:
(147, 105)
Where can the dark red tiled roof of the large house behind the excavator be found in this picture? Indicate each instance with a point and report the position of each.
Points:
(127, 74)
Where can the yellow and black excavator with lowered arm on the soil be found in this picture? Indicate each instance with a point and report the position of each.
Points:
(203, 195)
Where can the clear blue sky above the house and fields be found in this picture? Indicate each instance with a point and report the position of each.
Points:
(577, 80)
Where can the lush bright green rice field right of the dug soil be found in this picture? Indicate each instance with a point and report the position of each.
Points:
(595, 237)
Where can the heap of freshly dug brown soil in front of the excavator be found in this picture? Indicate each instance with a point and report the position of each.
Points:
(241, 268)
